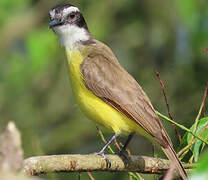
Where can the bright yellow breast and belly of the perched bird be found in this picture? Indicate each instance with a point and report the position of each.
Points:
(92, 106)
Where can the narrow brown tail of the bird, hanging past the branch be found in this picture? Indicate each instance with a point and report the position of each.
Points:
(170, 153)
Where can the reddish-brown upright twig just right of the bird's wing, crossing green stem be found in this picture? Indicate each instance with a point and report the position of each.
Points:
(168, 107)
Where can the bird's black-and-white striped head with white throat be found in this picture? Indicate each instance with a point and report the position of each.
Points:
(68, 23)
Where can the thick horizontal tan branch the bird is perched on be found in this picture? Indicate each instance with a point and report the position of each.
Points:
(81, 163)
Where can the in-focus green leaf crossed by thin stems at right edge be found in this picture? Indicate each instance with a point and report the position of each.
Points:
(197, 147)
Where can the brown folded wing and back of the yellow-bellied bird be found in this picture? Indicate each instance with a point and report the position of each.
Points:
(103, 76)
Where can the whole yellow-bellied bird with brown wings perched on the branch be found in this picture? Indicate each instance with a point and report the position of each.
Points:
(105, 91)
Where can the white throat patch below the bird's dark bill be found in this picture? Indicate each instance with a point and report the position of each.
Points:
(70, 35)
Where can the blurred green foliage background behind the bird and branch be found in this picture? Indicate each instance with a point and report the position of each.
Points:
(168, 36)
